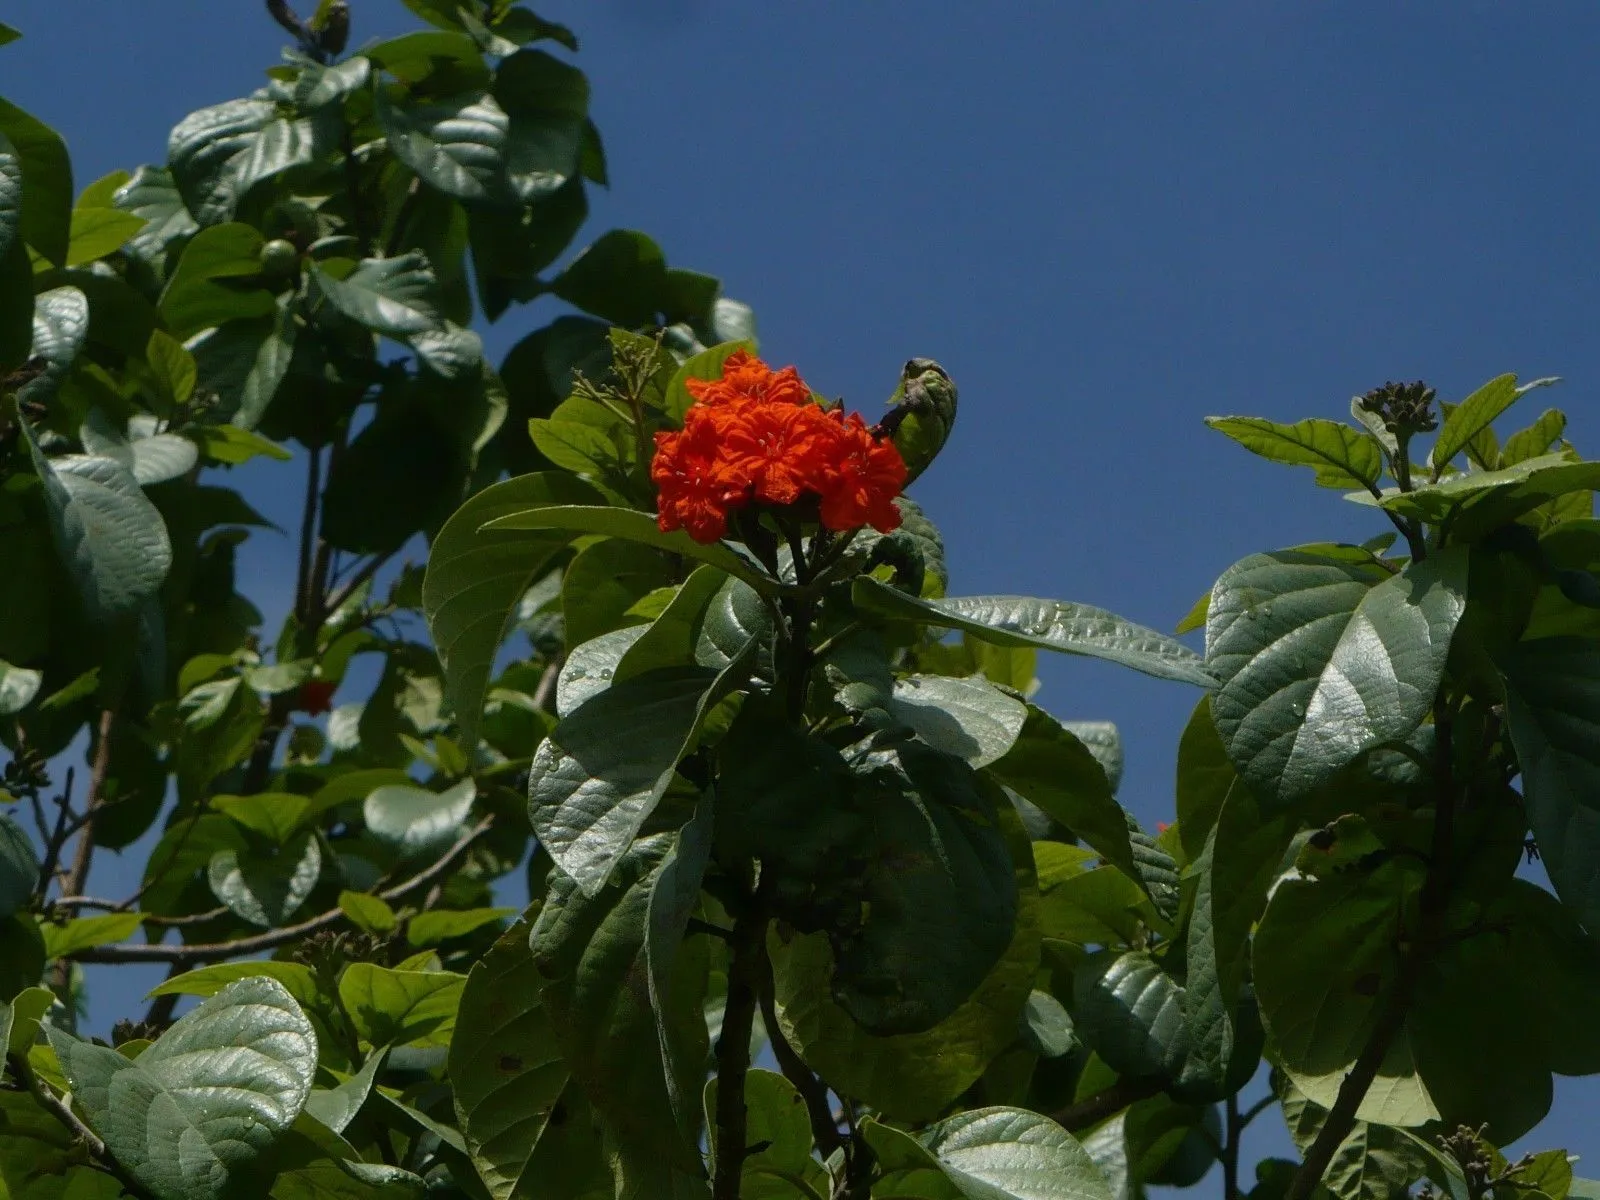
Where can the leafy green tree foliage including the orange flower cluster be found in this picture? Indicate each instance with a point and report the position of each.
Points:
(823, 905)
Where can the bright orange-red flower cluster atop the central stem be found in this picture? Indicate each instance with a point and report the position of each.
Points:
(756, 436)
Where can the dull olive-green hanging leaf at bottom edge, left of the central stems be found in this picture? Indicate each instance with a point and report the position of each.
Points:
(506, 1068)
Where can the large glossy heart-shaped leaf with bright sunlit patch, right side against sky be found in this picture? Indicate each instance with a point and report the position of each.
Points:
(1321, 662)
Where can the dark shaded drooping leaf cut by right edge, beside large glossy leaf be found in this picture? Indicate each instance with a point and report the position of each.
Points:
(1553, 711)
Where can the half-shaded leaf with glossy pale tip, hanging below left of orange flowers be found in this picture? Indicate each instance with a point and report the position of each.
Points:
(590, 791)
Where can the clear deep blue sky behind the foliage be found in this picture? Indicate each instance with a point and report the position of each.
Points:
(1108, 222)
